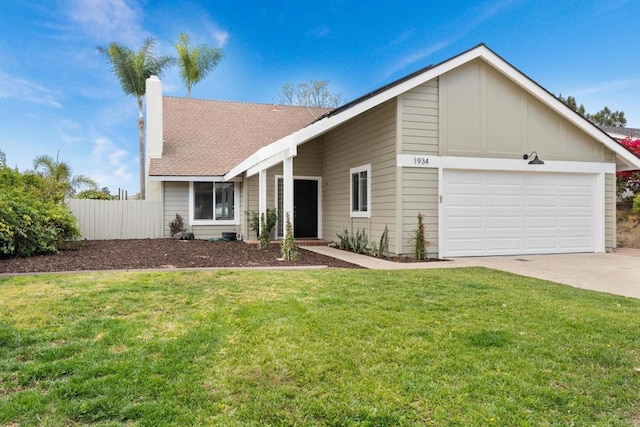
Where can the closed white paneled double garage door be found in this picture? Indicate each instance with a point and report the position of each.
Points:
(513, 213)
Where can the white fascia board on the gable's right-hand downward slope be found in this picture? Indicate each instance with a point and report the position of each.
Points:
(559, 107)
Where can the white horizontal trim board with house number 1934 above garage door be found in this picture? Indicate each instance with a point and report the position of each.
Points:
(481, 163)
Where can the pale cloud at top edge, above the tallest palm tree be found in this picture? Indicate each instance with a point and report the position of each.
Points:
(109, 20)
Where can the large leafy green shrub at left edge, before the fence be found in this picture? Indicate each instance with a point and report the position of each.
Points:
(31, 223)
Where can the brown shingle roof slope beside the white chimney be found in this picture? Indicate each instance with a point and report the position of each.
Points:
(208, 138)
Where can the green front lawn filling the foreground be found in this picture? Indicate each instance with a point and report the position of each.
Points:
(323, 347)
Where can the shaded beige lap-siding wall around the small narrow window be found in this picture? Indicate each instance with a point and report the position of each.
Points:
(367, 139)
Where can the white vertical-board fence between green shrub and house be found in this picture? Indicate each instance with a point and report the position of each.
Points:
(118, 219)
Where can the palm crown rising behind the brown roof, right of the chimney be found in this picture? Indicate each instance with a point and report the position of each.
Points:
(195, 62)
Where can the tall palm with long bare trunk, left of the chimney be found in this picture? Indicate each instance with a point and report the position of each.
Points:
(132, 70)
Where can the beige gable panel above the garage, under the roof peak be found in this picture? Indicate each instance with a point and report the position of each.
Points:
(484, 114)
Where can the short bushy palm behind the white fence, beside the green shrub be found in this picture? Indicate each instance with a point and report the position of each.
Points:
(59, 177)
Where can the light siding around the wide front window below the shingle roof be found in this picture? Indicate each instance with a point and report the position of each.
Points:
(176, 200)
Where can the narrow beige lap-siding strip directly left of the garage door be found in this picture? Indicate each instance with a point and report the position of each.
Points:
(419, 187)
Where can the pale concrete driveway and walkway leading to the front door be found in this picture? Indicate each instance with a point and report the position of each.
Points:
(617, 273)
